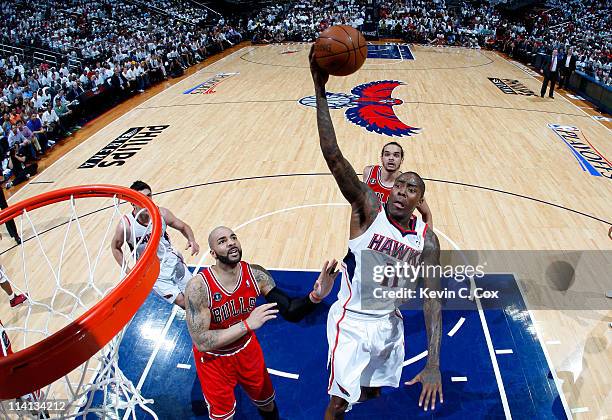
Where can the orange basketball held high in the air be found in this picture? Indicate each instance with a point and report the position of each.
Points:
(341, 50)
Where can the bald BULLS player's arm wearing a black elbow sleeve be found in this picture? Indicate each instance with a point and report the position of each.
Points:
(295, 309)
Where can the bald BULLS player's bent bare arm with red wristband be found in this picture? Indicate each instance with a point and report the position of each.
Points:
(198, 319)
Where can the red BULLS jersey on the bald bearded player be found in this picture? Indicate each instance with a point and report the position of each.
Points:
(229, 307)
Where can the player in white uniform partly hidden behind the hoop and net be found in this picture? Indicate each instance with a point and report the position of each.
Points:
(135, 229)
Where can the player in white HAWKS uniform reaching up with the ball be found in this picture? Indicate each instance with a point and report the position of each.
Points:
(366, 346)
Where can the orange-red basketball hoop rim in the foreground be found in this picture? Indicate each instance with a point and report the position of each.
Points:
(53, 357)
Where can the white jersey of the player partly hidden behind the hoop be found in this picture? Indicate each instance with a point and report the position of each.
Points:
(139, 237)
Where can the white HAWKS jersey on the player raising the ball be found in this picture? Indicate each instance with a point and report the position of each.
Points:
(384, 242)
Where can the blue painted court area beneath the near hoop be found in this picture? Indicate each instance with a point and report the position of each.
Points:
(470, 386)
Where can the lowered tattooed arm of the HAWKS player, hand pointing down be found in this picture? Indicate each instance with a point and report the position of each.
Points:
(432, 310)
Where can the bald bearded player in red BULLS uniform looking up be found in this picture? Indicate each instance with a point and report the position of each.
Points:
(222, 318)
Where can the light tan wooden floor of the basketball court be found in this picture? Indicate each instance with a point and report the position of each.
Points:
(245, 154)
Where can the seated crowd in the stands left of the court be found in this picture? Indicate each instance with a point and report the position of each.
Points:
(109, 50)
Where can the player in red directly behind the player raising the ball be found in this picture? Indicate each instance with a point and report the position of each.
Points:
(380, 178)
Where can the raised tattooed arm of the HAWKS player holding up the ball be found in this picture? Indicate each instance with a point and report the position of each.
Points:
(362, 199)
